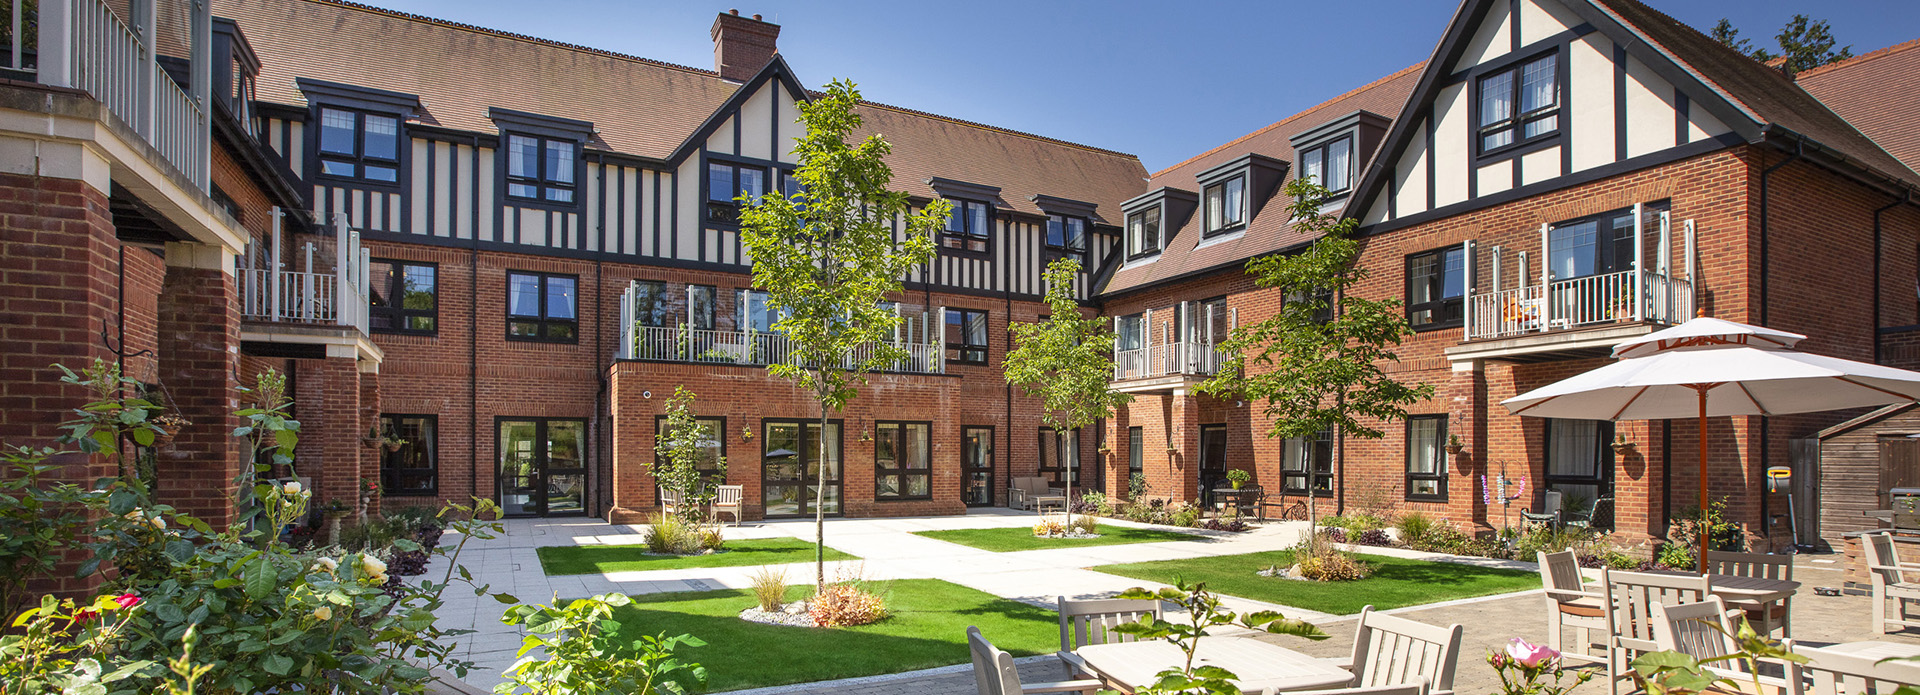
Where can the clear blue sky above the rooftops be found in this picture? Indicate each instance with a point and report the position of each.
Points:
(1159, 80)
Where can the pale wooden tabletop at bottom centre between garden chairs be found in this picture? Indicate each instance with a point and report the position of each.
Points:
(1134, 665)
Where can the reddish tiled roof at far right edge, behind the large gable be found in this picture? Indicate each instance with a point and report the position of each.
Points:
(1879, 93)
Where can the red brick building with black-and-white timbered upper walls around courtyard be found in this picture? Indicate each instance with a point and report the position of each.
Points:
(514, 268)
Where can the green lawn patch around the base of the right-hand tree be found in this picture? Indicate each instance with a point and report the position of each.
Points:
(1397, 583)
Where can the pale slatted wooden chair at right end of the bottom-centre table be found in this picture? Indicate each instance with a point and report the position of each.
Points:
(1399, 652)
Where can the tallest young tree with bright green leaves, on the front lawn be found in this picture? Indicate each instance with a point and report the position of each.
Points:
(828, 260)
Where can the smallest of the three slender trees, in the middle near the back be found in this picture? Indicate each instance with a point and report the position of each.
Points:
(1068, 362)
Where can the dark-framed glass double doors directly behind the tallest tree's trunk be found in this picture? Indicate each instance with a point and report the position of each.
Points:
(790, 467)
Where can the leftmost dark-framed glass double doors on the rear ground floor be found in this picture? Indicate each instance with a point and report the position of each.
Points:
(542, 467)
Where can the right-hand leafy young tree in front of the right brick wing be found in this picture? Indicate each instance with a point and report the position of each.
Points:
(1320, 362)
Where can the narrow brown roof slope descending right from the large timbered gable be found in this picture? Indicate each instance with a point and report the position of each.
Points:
(1765, 93)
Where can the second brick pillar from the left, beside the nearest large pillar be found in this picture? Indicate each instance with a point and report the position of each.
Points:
(201, 366)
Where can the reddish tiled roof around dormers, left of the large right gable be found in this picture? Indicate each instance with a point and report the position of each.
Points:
(1270, 229)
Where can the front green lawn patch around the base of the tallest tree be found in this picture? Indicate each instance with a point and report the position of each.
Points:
(926, 629)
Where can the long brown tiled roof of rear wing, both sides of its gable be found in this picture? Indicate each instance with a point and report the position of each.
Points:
(640, 107)
